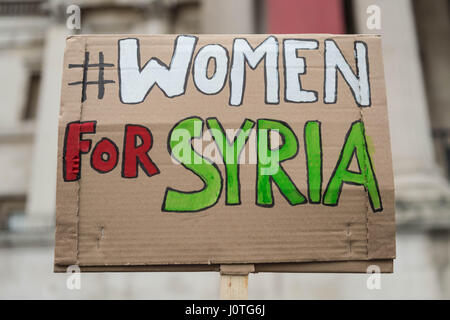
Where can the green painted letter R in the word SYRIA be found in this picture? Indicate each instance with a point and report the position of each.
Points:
(269, 167)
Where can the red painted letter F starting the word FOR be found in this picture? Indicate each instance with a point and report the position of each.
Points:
(74, 146)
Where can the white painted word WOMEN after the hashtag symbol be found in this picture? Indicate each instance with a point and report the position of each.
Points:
(136, 81)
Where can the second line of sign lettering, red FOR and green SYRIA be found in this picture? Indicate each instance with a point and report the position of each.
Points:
(138, 141)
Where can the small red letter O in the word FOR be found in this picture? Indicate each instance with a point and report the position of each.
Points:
(104, 147)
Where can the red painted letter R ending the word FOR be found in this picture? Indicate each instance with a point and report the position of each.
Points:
(134, 154)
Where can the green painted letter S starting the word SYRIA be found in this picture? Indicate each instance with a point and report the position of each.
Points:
(180, 201)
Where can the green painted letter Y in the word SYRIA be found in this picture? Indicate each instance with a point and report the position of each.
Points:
(230, 154)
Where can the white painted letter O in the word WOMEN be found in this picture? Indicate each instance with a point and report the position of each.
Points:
(216, 82)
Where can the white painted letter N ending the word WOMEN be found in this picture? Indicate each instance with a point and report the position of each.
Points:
(358, 83)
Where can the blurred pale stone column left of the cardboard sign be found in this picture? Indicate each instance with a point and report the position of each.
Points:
(40, 206)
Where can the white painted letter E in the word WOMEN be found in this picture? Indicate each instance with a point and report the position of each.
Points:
(293, 67)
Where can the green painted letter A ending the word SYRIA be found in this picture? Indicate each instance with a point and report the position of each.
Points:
(355, 143)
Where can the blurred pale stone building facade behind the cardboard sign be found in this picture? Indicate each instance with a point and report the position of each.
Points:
(416, 44)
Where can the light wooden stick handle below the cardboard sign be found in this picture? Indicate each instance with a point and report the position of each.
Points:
(234, 281)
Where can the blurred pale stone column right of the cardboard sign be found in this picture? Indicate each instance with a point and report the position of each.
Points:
(417, 176)
